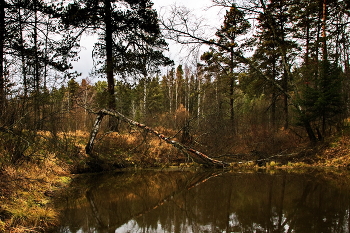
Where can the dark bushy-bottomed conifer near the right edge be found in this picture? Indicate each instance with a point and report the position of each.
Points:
(320, 74)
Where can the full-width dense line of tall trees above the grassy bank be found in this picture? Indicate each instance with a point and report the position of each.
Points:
(295, 77)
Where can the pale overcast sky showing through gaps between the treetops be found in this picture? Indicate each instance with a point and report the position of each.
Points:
(212, 16)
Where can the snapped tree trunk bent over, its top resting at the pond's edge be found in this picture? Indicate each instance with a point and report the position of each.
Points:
(197, 156)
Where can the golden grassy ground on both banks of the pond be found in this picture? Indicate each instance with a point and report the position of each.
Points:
(27, 188)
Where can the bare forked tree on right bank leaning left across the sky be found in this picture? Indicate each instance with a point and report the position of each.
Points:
(182, 27)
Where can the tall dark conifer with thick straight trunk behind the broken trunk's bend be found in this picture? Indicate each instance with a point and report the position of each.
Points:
(129, 33)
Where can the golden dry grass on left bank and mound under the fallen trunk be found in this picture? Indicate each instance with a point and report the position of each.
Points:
(26, 186)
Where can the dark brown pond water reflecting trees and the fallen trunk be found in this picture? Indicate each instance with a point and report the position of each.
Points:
(183, 201)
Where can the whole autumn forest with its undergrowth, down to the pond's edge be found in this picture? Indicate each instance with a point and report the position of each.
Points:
(274, 81)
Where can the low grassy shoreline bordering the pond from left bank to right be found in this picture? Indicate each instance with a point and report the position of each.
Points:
(27, 189)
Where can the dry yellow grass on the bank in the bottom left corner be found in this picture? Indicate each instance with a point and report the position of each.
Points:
(25, 195)
